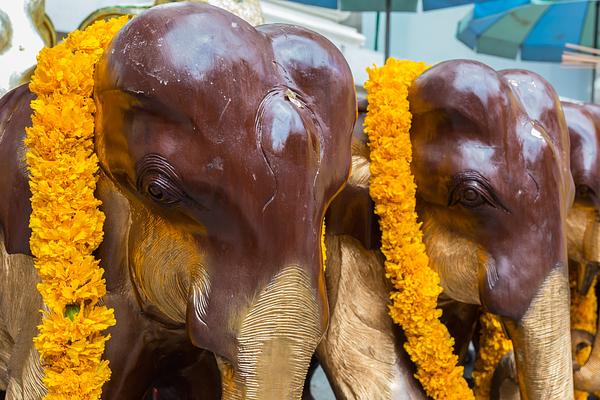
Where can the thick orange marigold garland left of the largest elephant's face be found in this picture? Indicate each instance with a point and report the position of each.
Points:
(66, 223)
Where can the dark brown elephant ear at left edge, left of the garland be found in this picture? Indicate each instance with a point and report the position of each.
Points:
(15, 207)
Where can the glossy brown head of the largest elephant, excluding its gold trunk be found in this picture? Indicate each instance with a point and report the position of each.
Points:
(227, 146)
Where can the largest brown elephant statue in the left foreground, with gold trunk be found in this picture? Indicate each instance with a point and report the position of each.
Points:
(220, 146)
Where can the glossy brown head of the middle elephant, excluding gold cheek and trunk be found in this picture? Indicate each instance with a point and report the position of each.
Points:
(488, 172)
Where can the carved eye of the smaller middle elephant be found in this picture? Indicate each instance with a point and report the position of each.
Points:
(471, 190)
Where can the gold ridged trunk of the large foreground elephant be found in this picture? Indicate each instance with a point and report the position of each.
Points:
(276, 341)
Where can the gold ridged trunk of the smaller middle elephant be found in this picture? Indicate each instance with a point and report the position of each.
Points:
(541, 341)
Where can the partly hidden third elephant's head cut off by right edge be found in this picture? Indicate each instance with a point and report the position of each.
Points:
(584, 224)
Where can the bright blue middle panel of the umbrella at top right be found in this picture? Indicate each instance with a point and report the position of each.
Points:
(562, 23)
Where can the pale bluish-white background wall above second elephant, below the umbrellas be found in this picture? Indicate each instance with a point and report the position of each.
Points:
(430, 37)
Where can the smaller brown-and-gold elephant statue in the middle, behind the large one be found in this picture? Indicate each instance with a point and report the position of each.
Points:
(493, 190)
